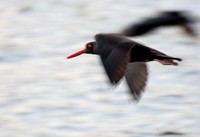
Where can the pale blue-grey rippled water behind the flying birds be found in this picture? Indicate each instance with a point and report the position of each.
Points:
(43, 95)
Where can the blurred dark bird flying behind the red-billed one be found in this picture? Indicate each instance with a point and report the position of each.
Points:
(167, 18)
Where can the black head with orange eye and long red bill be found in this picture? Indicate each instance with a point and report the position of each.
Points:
(91, 48)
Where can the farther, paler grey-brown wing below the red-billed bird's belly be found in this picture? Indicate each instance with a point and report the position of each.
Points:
(136, 78)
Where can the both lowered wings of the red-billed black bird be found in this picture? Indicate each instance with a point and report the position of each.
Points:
(115, 53)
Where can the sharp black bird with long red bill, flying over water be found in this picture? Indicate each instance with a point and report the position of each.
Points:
(121, 57)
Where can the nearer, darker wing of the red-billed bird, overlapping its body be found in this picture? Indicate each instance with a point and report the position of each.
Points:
(115, 55)
